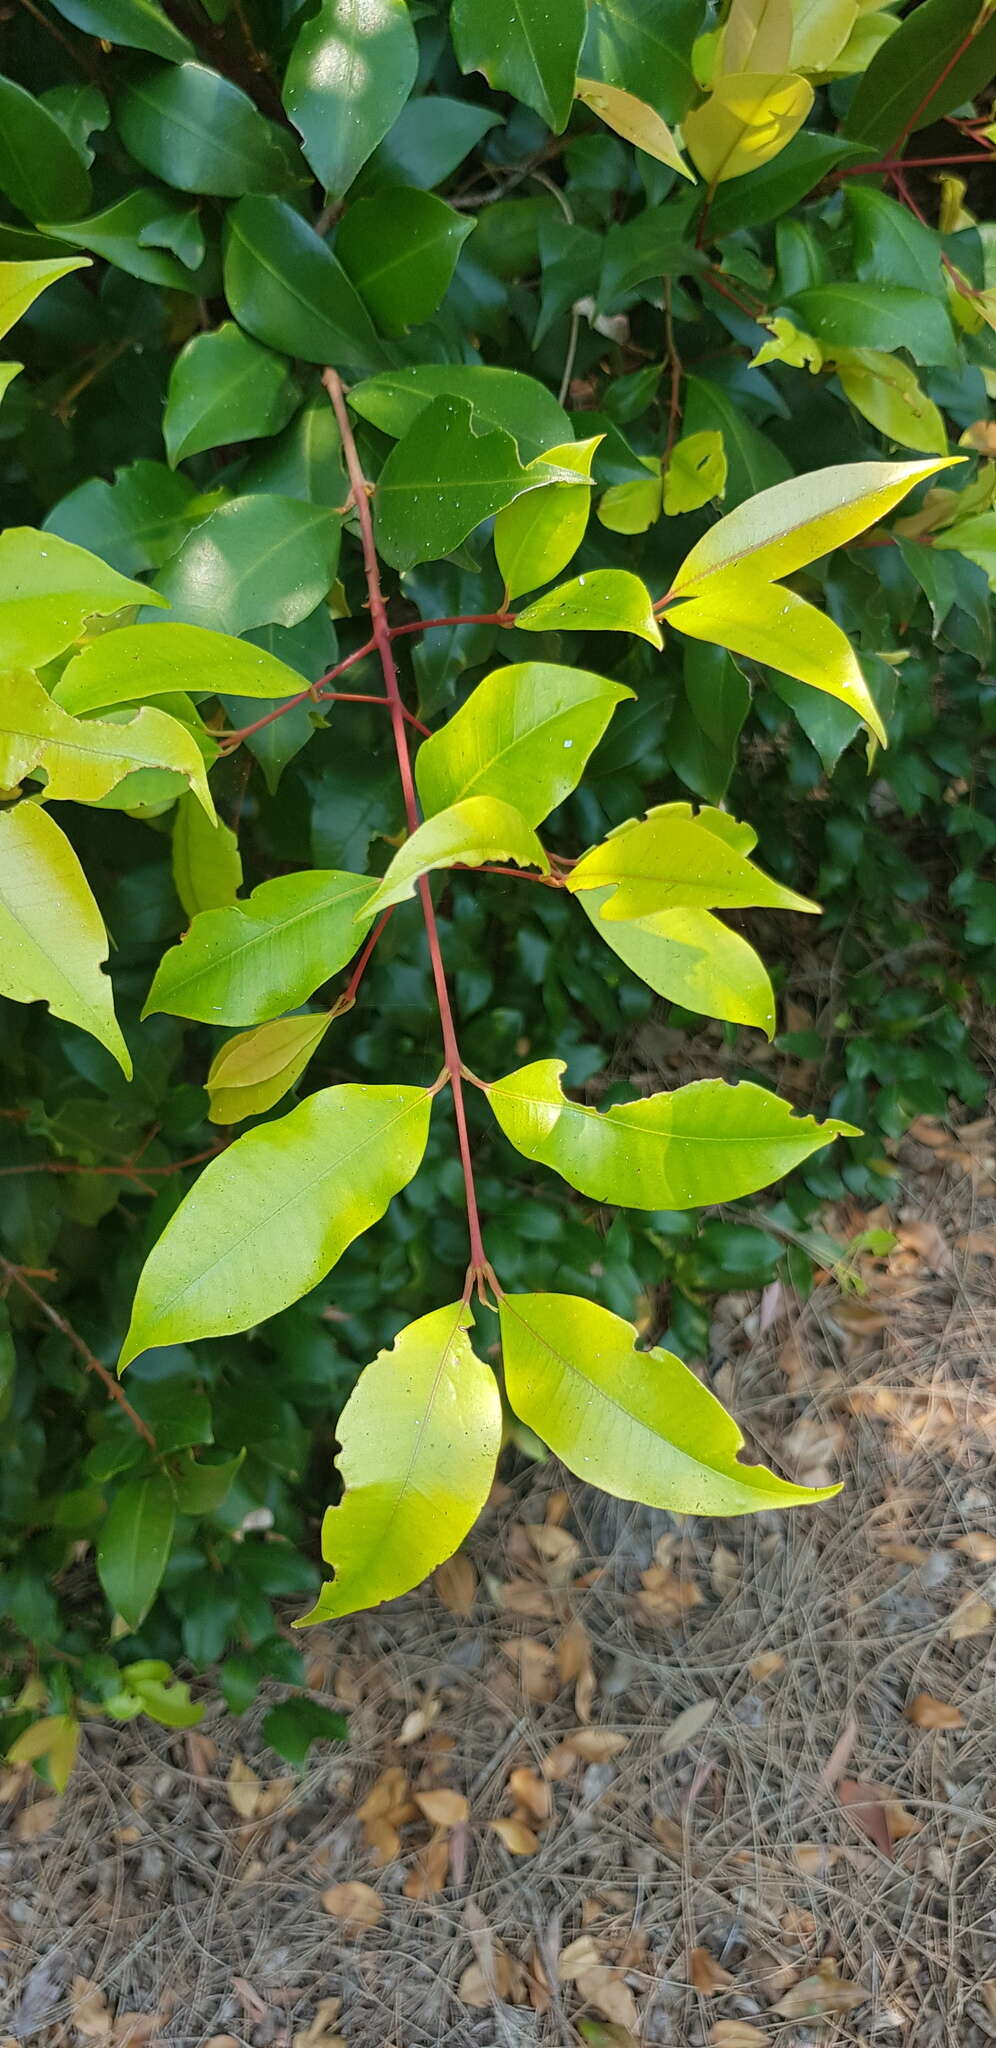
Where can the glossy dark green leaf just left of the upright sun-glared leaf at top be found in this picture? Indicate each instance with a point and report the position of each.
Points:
(202, 134)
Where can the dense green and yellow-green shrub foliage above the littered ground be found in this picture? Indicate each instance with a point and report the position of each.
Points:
(571, 388)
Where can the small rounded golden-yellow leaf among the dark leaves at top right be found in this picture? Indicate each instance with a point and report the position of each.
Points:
(745, 122)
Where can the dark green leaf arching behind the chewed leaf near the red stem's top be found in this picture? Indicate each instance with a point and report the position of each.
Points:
(522, 407)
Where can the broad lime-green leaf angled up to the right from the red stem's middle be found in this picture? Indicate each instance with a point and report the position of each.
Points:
(526, 736)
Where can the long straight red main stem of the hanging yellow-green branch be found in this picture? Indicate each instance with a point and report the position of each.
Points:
(382, 636)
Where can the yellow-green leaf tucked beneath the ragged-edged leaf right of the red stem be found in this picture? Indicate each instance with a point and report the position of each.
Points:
(692, 959)
